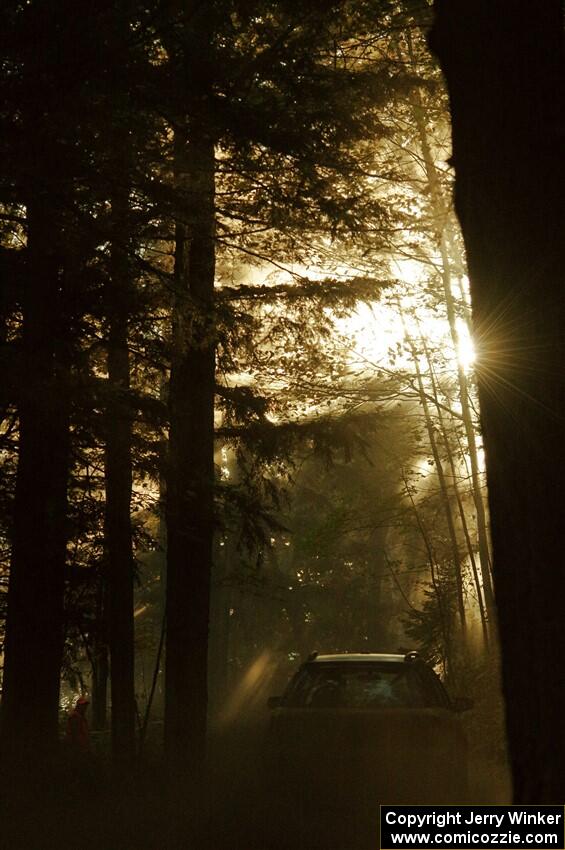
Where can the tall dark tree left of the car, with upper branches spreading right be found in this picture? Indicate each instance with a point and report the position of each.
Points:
(241, 74)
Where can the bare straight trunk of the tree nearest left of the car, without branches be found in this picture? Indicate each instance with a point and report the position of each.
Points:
(190, 482)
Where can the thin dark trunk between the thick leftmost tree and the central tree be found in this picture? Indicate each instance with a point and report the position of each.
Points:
(118, 483)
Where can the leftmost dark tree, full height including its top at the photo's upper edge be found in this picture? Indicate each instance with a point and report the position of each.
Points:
(40, 179)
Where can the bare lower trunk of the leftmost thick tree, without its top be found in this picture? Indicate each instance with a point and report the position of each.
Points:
(34, 628)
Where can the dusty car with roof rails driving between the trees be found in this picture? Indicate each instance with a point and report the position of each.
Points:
(374, 726)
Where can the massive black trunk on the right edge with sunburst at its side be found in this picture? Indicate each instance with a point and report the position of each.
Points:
(505, 68)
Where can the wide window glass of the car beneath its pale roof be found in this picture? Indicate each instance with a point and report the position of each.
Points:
(354, 685)
